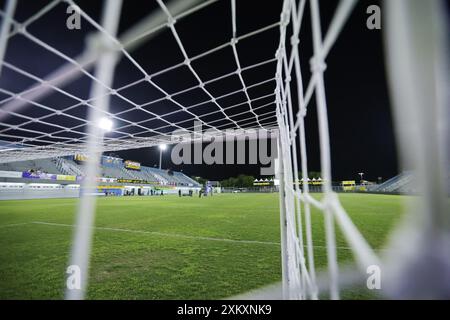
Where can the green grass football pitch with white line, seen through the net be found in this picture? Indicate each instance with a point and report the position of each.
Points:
(167, 247)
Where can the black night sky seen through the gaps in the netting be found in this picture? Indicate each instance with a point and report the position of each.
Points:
(361, 132)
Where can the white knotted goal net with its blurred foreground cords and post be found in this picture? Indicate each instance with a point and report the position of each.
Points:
(415, 48)
